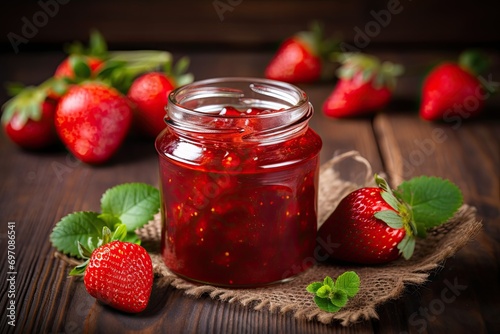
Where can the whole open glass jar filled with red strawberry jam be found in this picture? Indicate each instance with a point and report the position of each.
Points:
(239, 171)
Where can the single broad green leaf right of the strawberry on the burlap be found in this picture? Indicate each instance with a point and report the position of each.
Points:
(433, 200)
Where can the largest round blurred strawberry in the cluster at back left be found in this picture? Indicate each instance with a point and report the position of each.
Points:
(92, 120)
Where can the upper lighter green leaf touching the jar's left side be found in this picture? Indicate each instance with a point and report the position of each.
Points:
(134, 204)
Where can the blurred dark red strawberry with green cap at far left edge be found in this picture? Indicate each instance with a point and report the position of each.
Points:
(28, 119)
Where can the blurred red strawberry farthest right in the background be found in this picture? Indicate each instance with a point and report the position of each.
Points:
(452, 90)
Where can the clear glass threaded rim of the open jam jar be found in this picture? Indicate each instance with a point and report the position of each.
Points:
(195, 108)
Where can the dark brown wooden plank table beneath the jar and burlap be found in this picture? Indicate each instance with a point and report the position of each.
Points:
(37, 189)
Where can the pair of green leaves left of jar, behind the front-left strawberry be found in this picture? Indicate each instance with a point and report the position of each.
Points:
(125, 208)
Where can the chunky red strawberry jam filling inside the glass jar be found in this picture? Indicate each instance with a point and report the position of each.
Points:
(237, 213)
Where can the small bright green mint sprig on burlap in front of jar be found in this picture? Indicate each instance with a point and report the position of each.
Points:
(330, 295)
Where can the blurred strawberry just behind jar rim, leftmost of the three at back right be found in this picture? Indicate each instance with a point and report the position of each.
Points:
(302, 58)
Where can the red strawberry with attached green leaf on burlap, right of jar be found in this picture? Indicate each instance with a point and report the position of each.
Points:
(374, 225)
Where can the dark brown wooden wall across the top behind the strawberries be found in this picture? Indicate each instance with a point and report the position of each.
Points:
(249, 23)
